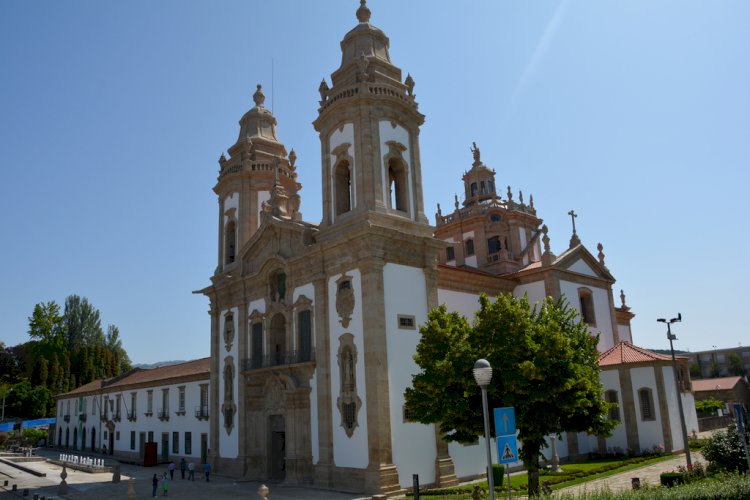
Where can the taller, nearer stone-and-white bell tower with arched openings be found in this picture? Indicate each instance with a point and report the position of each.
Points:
(369, 122)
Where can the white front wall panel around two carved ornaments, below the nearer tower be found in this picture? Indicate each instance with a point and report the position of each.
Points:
(348, 452)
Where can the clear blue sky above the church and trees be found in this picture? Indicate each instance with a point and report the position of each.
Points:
(113, 114)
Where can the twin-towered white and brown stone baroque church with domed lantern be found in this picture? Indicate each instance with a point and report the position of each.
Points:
(313, 326)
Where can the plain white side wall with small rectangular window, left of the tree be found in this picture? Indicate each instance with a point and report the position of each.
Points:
(413, 444)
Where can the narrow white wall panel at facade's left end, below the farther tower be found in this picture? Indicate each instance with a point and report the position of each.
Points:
(229, 443)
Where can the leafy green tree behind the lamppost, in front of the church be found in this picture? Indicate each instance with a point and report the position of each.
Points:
(545, 365)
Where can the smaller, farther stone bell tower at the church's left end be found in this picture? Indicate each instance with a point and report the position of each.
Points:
(257, 177)
